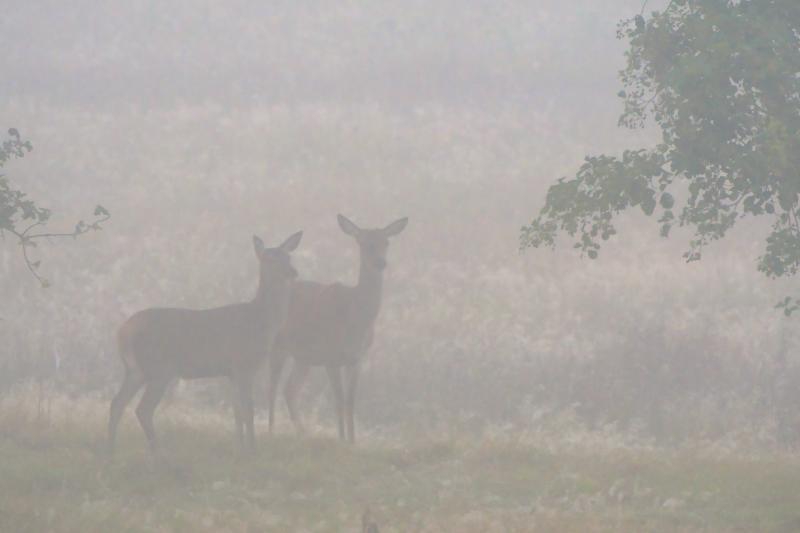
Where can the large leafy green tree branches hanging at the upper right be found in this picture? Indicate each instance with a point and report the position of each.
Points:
(722, 81)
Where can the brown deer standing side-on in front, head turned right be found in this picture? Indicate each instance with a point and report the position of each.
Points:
(158, 345)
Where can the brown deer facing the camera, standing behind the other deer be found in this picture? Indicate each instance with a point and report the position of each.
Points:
(332, 326)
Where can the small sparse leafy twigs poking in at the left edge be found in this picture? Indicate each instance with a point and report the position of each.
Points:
(21, 217)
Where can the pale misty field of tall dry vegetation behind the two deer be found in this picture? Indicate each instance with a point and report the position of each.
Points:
(200, 123)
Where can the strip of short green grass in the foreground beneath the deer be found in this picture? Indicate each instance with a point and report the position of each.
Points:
(54, 478)
